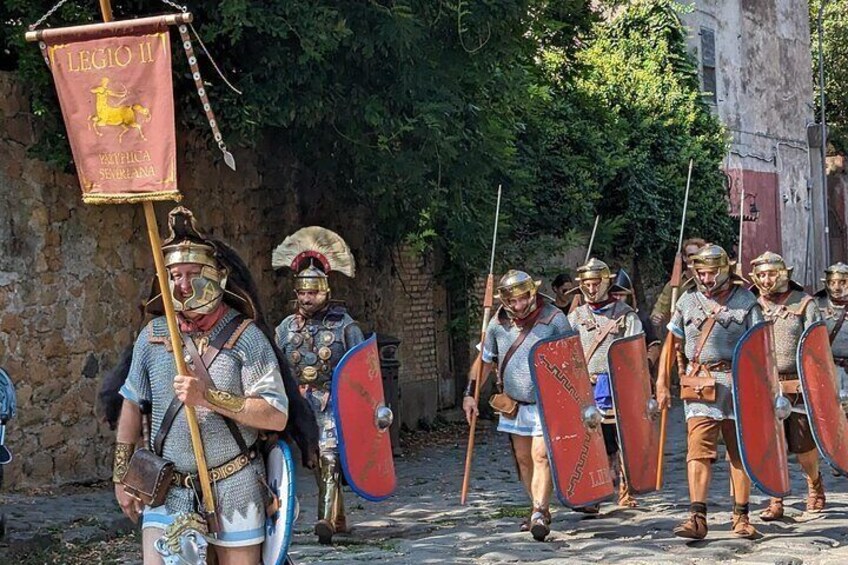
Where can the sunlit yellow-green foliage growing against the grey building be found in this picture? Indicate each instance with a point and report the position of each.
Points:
(639, 70)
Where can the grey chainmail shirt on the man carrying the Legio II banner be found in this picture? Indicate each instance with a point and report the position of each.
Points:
(248, 368)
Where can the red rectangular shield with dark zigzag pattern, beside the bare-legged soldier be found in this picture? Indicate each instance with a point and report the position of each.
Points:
(571, 422)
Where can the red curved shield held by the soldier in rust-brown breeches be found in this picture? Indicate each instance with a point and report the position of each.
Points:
(762, 445)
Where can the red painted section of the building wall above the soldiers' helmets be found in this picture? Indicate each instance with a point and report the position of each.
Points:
(764, 234)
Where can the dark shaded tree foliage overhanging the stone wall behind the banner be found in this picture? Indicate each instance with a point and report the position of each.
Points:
(413, 107)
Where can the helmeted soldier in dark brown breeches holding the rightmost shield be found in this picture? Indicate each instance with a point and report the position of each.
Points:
(791, 310)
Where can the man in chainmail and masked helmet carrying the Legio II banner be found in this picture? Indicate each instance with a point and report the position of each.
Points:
(244, 385)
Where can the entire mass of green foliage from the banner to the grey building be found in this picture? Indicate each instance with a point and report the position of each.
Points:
(420, 108)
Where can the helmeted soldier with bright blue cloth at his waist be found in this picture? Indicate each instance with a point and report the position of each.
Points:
(600, 320)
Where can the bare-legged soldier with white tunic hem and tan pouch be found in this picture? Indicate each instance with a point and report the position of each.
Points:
(523, 319)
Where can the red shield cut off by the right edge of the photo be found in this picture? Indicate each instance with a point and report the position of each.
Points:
(819, 383)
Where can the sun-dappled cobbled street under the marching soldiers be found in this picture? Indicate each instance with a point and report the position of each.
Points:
(423, 522)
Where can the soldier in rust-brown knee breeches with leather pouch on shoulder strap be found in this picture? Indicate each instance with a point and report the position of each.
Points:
(707, 323)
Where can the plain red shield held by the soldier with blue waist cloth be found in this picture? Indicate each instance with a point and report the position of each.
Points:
(636, 411)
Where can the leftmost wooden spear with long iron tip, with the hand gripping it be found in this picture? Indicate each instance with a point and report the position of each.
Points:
(479, 370)
